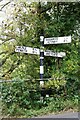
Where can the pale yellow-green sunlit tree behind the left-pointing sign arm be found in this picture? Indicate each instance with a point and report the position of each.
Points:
(14, 30)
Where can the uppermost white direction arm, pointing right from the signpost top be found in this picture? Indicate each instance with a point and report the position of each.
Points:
(57, 40)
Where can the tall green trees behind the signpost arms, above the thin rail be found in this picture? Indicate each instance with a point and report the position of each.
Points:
(28, 22)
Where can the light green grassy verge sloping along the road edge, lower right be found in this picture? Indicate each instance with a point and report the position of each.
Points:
(53, 107)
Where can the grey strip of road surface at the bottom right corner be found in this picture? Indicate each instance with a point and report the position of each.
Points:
(64, 115)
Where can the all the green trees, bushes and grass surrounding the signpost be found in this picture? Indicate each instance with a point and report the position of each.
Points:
(23, 28)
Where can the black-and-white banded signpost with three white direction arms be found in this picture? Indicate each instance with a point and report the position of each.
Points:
(42, 53)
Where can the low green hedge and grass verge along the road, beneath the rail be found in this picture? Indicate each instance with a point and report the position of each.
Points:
(22, 98)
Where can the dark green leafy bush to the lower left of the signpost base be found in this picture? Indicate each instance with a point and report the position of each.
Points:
(20, 95)
